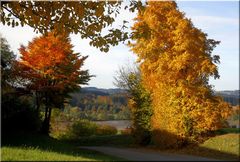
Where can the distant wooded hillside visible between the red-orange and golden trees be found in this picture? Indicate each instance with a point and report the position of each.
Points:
(99, 105)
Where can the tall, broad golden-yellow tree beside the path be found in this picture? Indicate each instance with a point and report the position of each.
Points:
(176, 63)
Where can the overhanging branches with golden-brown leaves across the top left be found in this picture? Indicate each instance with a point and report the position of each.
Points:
(86, 18)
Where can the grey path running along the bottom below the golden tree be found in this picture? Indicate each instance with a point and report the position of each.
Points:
(133, 154)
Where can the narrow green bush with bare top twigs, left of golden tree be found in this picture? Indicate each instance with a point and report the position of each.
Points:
(139, 103)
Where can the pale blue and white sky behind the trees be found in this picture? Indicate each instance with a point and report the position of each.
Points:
(219, 19)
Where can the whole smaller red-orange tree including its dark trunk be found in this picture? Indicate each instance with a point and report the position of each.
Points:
(51, 70)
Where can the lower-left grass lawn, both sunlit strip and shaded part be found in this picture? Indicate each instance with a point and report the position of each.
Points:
(44, 148)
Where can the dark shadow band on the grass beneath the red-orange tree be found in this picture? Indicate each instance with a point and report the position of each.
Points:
(46, 143)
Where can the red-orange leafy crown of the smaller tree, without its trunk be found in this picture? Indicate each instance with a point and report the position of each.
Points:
(50, 58)
